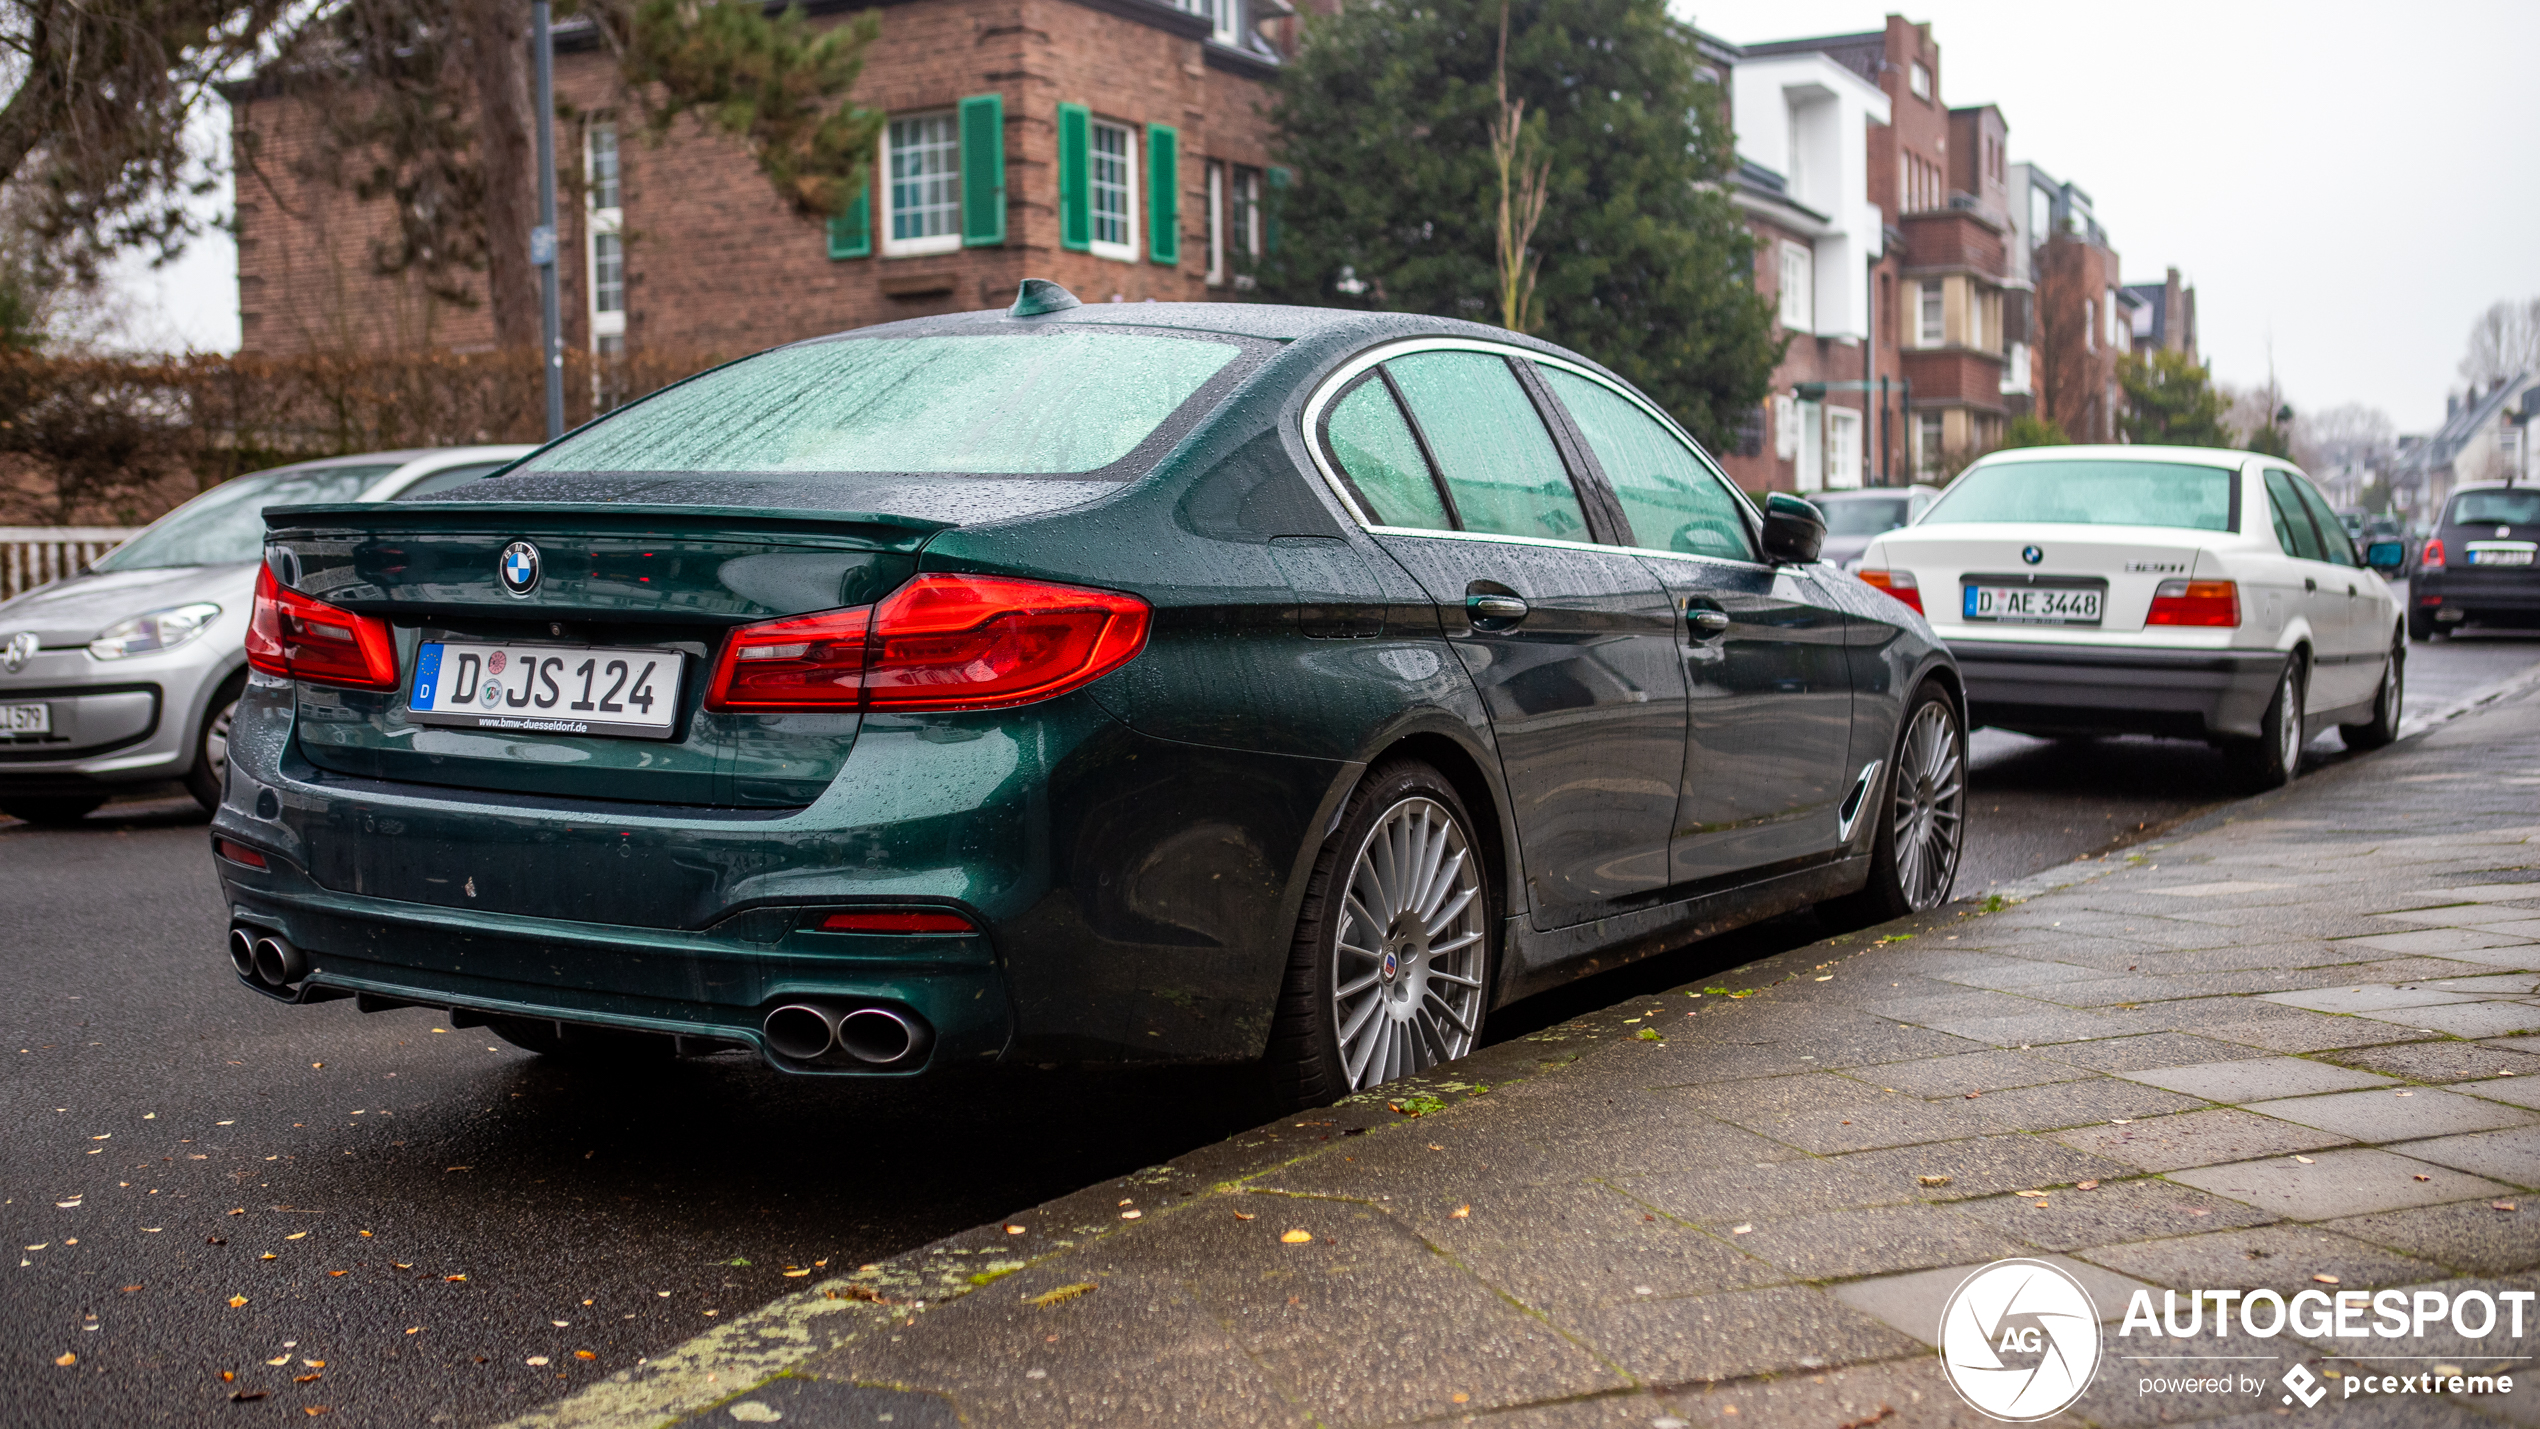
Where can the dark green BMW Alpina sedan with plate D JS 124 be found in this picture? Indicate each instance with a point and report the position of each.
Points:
(1071, 684)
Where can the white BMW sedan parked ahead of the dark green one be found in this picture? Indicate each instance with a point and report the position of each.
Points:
(2155, 590)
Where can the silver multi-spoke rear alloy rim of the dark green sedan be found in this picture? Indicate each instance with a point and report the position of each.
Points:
(1411, 948)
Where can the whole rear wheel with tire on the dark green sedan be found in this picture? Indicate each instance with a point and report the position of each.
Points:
(1391, 963)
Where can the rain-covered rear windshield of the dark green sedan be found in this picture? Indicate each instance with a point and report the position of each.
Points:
(1058, 402)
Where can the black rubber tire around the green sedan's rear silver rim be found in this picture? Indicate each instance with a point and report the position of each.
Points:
(1304, 1062)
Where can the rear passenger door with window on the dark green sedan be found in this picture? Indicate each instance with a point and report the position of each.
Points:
(1568, 641)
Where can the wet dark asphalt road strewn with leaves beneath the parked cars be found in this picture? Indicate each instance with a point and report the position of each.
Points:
(425, 1225)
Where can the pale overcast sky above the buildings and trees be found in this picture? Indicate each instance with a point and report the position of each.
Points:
(2348, 187)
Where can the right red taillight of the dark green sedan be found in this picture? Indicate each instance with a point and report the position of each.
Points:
(939, 643)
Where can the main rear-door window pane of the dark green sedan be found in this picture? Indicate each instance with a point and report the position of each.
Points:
(1492, 448)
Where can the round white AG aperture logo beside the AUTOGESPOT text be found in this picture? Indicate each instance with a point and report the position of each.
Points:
(2021, 1341)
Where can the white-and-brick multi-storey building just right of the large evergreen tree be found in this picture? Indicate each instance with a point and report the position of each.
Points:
(1919, 235)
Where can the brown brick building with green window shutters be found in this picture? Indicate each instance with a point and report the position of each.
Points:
(1114, 146)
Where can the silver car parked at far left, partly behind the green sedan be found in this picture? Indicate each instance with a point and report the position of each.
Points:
(128, 671)
